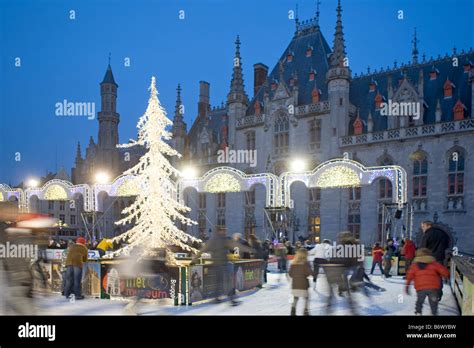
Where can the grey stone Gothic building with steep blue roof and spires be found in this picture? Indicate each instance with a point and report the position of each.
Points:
(311, 106)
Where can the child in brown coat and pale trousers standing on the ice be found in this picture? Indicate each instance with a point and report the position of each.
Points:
(299, 272)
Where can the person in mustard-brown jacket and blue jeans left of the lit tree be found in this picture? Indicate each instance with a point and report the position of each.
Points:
(76, 257)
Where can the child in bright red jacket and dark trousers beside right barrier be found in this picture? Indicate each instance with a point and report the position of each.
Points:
(426, 274)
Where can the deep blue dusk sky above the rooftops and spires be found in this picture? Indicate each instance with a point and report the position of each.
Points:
(66, 59)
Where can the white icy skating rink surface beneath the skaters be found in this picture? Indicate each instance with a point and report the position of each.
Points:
(273, 299)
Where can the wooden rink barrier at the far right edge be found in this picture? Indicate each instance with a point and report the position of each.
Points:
(462, 283)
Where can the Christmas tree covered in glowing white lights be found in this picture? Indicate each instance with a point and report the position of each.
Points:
(156, 213)
